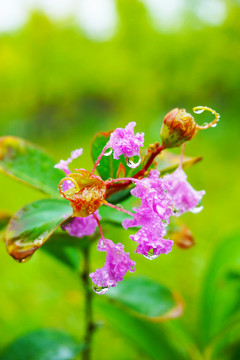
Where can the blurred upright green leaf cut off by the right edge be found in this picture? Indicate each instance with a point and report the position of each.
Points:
(220, 299)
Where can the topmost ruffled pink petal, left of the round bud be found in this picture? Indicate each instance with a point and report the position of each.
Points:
(123, 141)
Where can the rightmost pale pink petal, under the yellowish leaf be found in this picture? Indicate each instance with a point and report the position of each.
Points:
(185, 198)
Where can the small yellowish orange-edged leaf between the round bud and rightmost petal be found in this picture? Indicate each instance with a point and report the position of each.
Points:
(168, 162)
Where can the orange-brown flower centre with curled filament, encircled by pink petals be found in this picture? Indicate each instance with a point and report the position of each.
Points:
(85, 192)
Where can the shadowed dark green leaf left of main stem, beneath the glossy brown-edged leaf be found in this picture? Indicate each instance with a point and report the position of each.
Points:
(66, 249)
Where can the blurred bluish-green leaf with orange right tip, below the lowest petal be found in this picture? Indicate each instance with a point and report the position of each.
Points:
(147, 298)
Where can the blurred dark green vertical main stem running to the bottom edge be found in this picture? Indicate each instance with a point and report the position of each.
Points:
(89, 324)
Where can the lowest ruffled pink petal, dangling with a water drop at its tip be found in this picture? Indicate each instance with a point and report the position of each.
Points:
(116, 265)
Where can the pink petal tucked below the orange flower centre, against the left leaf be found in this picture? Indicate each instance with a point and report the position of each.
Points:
(80, 227)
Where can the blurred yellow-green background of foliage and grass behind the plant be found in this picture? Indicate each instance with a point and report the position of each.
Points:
(60, 84)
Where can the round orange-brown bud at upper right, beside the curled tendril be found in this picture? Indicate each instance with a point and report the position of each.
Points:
(178, 127)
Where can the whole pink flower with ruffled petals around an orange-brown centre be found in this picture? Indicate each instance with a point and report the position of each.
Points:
(160, 197)
